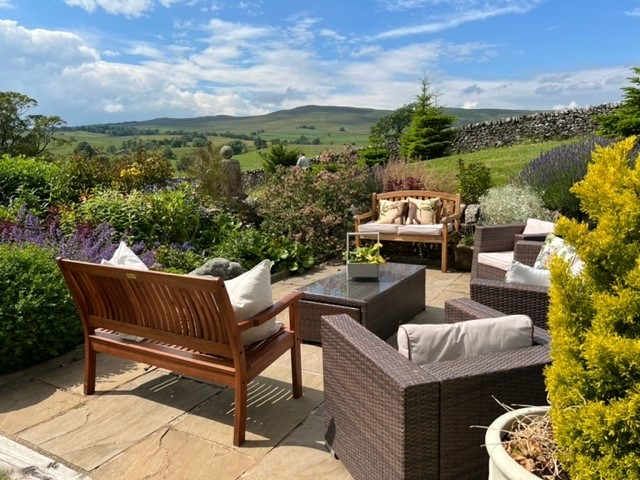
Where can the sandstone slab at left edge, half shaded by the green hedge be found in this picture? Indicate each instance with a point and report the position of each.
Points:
(25, 404)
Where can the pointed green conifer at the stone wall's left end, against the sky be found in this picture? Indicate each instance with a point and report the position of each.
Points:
(430, 134)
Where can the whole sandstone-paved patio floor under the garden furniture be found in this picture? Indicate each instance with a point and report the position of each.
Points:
(145, 422)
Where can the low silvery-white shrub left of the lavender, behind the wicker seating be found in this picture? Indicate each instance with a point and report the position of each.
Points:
(511, 204)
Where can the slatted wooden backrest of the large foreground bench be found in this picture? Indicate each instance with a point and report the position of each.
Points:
(190, 311)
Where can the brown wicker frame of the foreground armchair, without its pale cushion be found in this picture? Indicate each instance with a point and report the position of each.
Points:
(386, 417)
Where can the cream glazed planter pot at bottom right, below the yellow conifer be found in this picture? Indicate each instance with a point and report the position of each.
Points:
(501, 465)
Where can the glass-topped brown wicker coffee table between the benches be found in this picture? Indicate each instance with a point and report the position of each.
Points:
(380, 306)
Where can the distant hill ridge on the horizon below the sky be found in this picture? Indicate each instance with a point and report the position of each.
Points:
(310, 117)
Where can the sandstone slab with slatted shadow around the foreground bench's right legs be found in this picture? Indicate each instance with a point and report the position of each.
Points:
(272, 412)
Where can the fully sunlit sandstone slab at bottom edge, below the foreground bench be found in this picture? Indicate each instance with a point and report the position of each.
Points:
(172, 454)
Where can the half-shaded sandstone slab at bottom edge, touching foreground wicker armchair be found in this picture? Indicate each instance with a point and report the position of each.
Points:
(302, 455)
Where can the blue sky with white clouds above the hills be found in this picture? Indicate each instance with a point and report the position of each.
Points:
(99, 61)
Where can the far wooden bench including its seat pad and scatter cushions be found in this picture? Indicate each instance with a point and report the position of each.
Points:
(440, 226)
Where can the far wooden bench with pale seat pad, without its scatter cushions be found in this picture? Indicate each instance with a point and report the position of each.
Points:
(445, 231)
